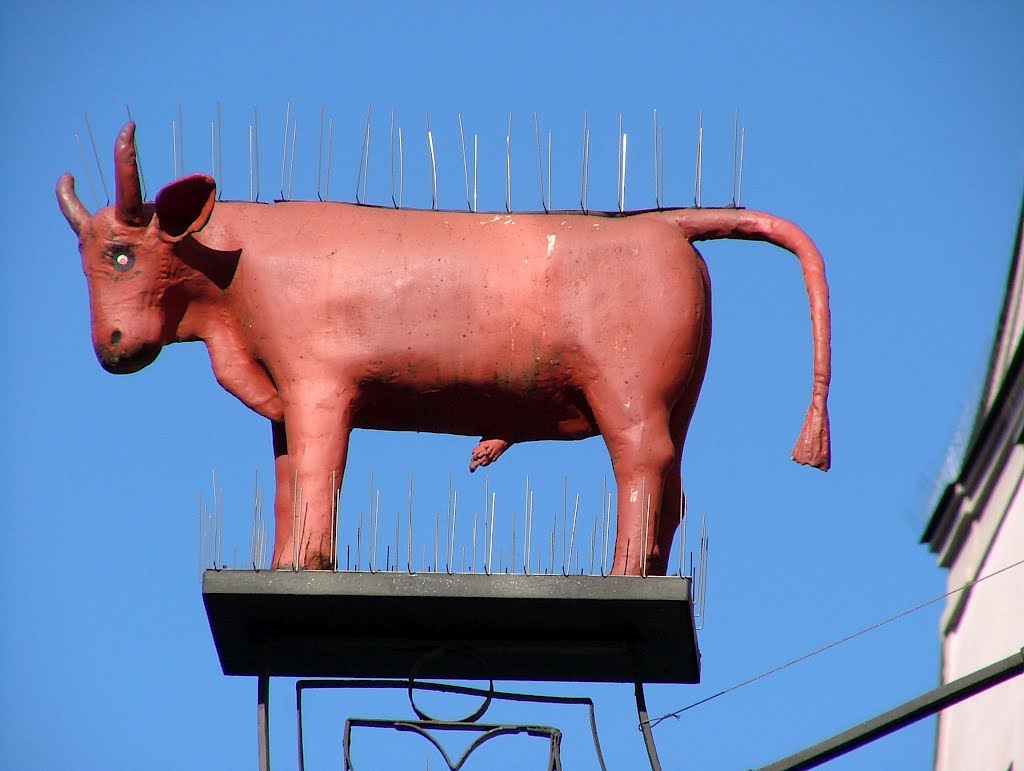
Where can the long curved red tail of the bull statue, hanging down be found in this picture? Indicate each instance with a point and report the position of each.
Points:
(815, 446)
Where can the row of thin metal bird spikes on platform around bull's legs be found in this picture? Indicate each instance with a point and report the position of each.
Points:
(487, 536)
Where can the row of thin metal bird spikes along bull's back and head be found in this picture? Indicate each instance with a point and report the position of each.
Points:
(400, 144)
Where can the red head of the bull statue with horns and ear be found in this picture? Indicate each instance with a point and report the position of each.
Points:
(129, 256)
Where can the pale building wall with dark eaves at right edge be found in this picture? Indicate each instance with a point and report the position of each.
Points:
(977, 529)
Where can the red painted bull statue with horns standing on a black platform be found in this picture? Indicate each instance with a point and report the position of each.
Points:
(327, 317)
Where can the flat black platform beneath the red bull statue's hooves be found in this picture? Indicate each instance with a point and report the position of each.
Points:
(395, 625)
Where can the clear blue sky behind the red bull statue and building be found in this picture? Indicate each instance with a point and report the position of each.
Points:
(892, 133)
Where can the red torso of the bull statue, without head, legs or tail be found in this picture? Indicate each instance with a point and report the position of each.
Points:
(505, 335)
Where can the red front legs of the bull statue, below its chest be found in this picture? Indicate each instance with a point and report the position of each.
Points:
(311, 461)
